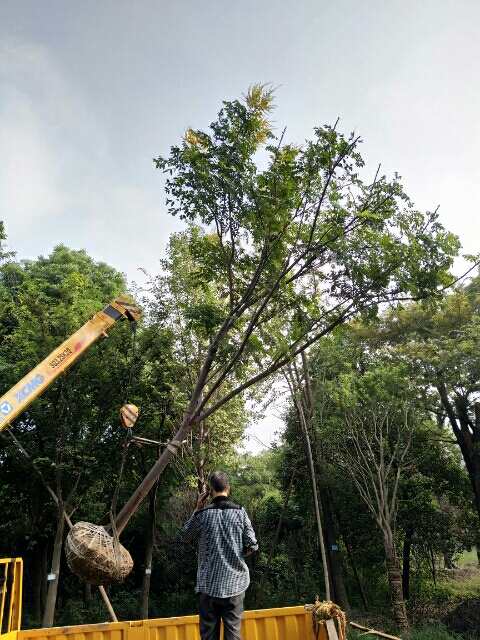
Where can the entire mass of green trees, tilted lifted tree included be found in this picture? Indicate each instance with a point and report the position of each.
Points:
(283, 271)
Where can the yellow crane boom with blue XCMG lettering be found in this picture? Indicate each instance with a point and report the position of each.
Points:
(21, 395)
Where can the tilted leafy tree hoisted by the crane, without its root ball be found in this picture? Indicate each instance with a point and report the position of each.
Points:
(295, 249)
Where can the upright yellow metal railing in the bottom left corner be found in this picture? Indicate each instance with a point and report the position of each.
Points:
(11, 576)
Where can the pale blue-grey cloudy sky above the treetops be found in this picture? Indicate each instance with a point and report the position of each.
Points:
(91, 92)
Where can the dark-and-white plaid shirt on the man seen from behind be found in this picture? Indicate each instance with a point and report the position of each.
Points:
(225, 533)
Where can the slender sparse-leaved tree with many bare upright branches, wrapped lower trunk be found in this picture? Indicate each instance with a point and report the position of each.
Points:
(380, 419)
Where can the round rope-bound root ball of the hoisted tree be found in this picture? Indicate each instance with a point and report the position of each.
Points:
(95, 556)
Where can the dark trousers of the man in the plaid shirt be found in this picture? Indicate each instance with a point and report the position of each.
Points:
(212, 610)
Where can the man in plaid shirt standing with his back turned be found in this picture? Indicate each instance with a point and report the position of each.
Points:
(225, 537)
